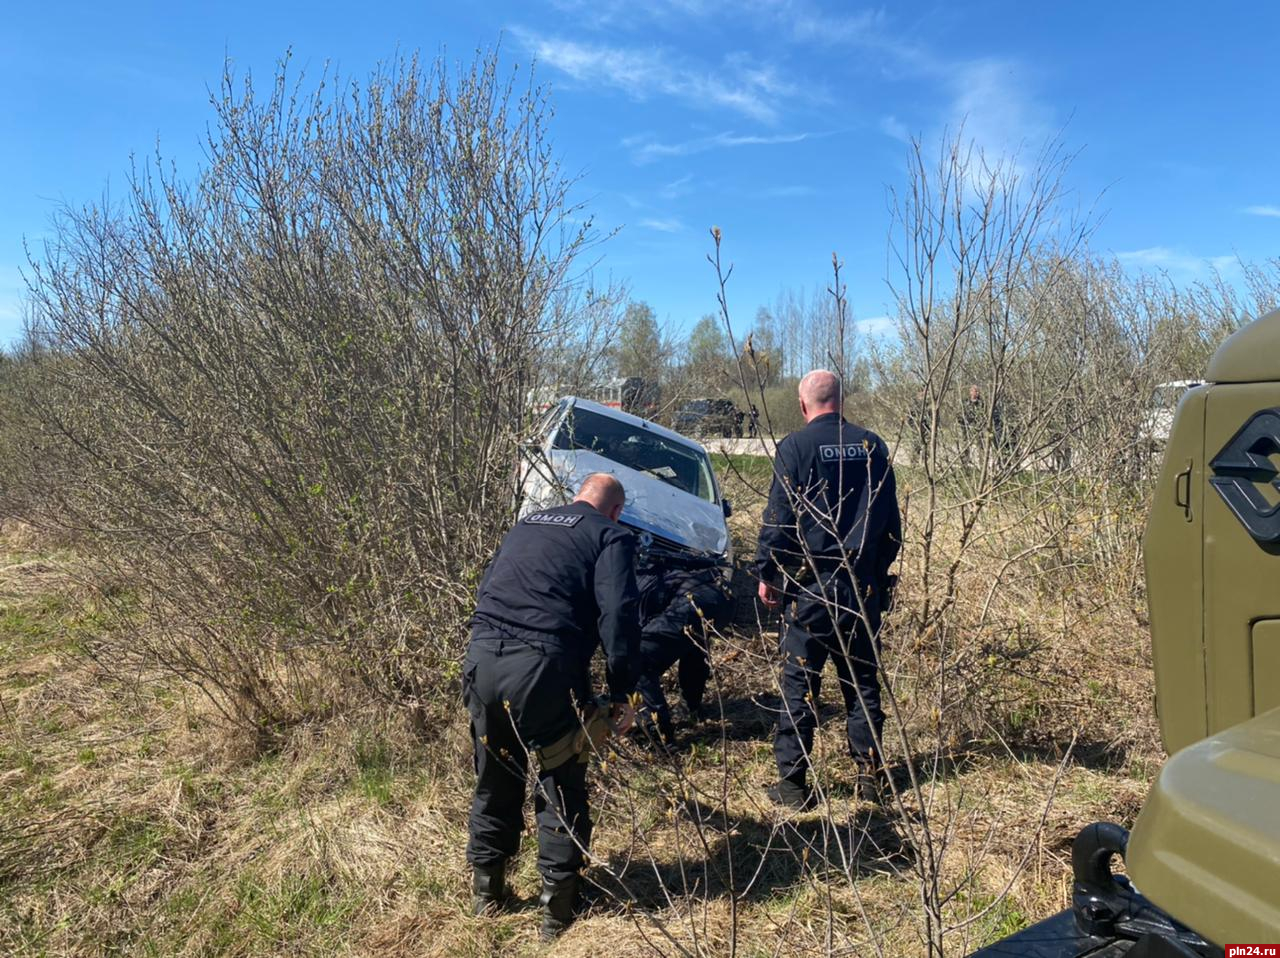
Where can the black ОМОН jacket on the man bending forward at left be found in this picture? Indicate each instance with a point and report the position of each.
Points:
(566, 578)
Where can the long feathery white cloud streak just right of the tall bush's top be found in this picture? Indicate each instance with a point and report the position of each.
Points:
(739, 84)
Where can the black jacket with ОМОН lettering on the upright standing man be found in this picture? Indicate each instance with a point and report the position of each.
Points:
(834, 496)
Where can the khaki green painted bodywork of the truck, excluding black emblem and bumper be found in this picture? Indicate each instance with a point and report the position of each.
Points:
(1206, 847)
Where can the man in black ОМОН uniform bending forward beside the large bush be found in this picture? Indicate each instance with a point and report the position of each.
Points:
(563, 583)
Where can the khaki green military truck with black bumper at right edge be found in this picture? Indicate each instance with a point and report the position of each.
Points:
(1204, 860)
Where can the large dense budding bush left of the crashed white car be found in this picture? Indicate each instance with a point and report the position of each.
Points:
(282, 400)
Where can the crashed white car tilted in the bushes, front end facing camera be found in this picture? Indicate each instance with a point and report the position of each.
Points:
(674, 501)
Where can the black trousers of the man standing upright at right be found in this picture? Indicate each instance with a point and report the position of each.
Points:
(826, 622)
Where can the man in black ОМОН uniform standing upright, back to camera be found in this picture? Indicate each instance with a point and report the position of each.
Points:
(831, 532)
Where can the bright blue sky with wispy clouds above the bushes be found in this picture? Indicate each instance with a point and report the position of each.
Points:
(780, 121)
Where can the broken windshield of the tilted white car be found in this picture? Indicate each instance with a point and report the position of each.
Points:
(641, 450)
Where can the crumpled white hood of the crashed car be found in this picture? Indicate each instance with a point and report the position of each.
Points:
(652, 505)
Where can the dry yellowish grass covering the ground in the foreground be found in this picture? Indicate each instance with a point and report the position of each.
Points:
(134, 823)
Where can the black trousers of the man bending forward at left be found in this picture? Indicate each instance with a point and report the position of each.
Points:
(522, 696)
